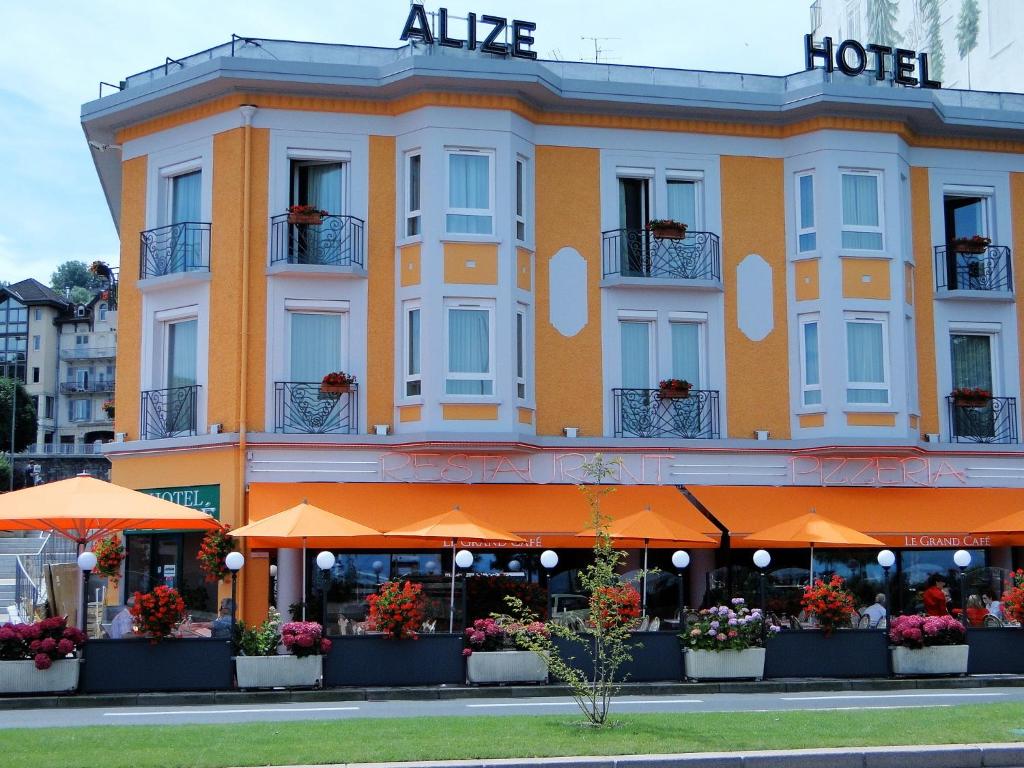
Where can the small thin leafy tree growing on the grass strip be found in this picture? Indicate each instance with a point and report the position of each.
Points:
(606, 635)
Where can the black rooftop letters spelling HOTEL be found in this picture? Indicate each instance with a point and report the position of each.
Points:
(852, 59)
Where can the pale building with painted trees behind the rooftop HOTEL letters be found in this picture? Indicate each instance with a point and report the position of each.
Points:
(931, 26)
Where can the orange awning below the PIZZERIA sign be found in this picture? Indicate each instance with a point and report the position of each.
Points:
(899, 517)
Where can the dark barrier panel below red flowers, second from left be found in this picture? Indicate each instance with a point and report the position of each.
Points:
(372, 660)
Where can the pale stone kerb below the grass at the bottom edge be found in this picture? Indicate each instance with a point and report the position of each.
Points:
(948, 756)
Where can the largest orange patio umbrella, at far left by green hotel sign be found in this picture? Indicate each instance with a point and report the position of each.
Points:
(86, 509)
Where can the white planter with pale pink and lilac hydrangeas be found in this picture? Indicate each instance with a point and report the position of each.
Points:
(727, 643)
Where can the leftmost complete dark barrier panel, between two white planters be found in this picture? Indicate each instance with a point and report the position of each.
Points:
(137, 666)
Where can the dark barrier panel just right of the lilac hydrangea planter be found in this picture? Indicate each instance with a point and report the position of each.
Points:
(810, 654)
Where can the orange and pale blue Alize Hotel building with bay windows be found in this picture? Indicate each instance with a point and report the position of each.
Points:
(486, 271)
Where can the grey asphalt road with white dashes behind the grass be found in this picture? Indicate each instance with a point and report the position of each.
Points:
(277, 712)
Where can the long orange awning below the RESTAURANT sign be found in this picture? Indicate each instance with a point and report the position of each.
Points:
(544, 516)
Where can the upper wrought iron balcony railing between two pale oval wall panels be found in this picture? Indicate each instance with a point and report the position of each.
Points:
(637, 253)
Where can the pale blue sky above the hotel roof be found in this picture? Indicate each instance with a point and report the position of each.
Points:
(55, 54)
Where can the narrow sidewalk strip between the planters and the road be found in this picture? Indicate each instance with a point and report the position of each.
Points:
(200, 699)
